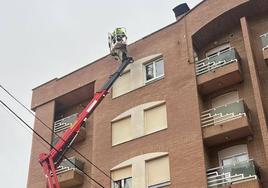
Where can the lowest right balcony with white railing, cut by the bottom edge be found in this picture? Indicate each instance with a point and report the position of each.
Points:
(238, 175)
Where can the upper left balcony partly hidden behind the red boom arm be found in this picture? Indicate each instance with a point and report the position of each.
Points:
(60, 126)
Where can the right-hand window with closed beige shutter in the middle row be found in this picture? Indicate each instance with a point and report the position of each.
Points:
(155, 119)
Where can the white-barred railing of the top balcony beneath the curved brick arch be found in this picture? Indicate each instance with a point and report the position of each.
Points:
(218, 60)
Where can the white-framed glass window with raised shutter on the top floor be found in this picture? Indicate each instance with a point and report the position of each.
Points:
(154, 70)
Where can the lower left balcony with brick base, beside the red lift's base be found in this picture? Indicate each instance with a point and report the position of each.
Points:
(69, 175)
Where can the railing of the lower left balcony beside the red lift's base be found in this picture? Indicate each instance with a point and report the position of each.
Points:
(66, 166)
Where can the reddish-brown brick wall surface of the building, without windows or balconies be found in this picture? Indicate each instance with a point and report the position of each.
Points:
(183, 138)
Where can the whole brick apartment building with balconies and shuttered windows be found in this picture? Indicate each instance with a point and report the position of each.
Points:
(190, 112)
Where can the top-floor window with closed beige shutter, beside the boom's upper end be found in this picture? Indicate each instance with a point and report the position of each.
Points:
(122, 85)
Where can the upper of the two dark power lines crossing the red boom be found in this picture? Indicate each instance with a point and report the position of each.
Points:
(42, 122)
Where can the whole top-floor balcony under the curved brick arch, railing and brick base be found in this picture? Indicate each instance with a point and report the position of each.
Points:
(218, 71)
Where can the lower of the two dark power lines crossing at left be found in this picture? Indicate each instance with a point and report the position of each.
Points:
(34, 131)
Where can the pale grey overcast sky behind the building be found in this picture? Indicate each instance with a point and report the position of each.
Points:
(44, 39)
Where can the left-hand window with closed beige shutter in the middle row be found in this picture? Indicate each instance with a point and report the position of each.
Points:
(121, 131)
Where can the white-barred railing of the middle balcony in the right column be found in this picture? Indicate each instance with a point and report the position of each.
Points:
(225, 113)
